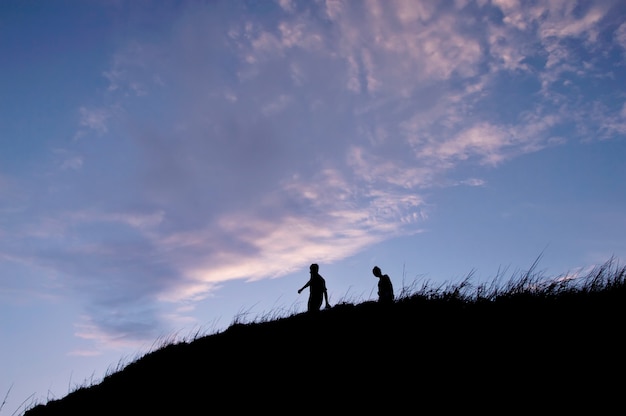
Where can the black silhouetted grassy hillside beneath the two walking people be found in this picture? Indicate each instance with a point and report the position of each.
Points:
(535, 344)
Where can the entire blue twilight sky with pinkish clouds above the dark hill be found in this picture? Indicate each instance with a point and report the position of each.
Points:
(168, 168)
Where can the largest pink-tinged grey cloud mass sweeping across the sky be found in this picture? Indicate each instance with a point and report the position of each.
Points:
(243, 145)
